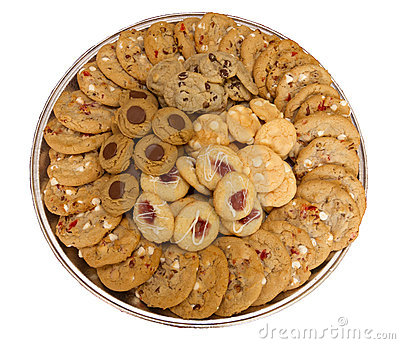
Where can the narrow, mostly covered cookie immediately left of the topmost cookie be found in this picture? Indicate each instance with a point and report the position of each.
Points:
(184, 36)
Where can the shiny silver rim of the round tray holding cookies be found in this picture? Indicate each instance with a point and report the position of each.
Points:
(87, 276)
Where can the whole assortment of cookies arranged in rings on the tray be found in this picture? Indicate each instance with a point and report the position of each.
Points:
(204, 166)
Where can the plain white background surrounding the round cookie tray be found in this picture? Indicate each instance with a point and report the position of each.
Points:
(357, 42)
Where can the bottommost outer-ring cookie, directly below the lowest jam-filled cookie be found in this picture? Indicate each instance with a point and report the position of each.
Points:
(209, 288)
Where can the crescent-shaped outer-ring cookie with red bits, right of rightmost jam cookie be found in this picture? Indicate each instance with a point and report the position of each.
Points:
(305, 215)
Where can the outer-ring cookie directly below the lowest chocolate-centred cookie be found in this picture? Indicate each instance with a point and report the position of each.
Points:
(115, 247)
